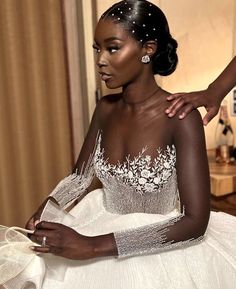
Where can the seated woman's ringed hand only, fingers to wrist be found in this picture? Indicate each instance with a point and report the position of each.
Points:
(63, 241)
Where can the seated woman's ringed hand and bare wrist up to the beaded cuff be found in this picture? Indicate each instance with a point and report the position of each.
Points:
(63, 241)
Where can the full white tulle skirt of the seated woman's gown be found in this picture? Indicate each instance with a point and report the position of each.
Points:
(210, 264)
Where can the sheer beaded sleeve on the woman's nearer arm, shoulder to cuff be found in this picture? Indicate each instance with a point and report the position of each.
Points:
(194, 191)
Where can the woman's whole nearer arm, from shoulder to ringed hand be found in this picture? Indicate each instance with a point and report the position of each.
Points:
(186, 229)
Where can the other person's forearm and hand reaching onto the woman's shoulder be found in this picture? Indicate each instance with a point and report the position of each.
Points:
(210, 98)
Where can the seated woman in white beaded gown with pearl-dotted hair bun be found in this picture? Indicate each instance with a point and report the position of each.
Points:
(153, 209)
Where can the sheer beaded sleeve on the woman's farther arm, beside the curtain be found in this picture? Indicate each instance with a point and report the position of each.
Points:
(74, 185)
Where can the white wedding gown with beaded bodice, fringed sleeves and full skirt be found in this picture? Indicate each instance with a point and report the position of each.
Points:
(139, 203)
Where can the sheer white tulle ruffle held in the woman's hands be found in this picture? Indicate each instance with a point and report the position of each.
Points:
(21, 267)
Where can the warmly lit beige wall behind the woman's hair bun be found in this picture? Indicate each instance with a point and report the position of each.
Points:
(205, 33)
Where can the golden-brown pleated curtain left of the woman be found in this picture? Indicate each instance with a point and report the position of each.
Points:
(36, 146)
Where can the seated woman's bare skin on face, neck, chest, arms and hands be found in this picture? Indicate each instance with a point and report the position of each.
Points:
(137, 116)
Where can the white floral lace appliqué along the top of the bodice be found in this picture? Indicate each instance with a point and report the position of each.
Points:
(141, 172)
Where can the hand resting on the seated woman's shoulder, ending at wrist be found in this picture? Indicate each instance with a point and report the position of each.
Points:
(184, 103)
